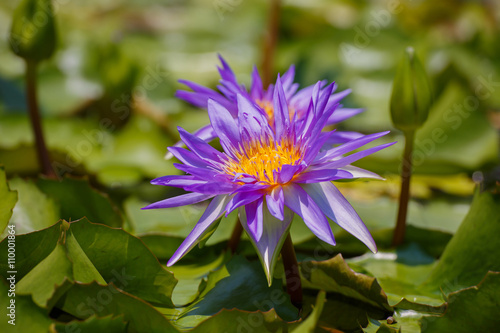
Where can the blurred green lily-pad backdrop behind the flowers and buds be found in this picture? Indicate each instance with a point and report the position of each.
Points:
(120, 61)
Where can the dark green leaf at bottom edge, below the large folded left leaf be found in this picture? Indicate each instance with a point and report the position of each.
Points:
(86, 300)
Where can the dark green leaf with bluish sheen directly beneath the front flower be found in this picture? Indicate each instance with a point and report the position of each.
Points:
(241, 285)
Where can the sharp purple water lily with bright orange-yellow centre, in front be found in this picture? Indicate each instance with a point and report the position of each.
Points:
(269, 172)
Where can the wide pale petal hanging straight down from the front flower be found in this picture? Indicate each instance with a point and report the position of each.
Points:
(273, 236)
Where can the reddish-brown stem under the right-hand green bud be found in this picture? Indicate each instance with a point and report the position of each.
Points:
(404, 196)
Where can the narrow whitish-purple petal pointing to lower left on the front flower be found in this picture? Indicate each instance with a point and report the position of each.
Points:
(203, 227)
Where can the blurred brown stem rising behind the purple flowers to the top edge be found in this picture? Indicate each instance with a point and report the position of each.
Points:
(271, 39)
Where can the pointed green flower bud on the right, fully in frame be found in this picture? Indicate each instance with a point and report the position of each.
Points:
(411, 94)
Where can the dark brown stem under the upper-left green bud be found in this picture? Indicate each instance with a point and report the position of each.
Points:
(31, 96)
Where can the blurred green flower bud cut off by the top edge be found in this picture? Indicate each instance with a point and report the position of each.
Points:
(33, 33)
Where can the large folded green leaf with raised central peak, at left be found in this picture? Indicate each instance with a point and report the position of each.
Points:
(85, 252)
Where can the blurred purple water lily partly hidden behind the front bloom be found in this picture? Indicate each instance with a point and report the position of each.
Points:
(298, 100)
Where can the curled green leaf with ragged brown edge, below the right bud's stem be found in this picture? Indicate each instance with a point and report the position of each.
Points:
(352, 297)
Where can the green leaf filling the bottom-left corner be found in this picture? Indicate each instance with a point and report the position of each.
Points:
(28, 316)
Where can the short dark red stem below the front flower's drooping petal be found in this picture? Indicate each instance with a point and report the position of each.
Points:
(293, 283)
